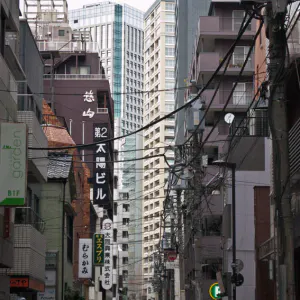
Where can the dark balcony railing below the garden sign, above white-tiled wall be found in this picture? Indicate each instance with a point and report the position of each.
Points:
(26, 216)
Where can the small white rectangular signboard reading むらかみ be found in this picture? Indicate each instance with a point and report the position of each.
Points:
(85, 258)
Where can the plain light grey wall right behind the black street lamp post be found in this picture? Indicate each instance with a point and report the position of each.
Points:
(245, 231)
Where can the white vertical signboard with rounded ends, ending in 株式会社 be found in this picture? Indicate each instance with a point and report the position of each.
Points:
(107, 230)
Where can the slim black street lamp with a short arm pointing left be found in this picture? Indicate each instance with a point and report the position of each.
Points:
(231, 166)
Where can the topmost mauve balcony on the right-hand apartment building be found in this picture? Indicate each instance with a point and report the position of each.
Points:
(223, 28)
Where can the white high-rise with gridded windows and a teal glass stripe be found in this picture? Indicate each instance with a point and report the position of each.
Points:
(118, 30)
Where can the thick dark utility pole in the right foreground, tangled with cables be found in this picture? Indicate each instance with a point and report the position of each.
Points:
(279, 131)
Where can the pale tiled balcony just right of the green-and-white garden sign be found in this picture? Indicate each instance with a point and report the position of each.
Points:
(37, 168)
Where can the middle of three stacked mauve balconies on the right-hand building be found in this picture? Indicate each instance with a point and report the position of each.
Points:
(208, 62)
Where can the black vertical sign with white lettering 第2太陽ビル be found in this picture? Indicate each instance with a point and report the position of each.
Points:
(101, 157)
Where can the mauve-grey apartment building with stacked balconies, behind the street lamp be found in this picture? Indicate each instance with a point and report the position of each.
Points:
(209, 249)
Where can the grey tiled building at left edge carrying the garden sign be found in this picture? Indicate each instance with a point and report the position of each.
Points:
(22, 239)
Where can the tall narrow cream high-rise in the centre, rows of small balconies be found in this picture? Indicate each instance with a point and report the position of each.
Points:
(159, 28)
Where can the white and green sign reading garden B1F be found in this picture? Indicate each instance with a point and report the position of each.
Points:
(13, 163)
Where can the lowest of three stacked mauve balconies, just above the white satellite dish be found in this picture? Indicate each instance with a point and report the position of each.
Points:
(239, 101)
